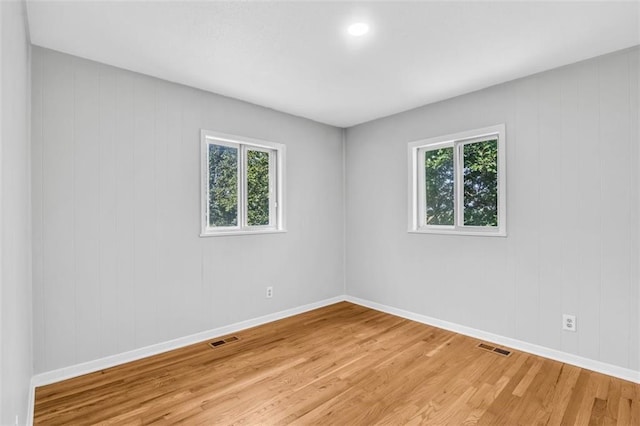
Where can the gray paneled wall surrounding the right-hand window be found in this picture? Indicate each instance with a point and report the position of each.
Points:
(572, 208)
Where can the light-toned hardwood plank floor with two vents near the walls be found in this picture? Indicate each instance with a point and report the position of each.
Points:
(341, 365)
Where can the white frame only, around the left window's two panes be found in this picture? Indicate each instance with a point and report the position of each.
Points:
(276, 184)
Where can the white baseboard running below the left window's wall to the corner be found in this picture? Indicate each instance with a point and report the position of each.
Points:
(136, 354)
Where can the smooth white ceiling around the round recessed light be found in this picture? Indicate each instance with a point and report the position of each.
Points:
(296, 57)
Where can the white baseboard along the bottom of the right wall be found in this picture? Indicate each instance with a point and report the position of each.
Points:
(578, 361)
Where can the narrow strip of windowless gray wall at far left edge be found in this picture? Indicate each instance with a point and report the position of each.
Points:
(15, 267)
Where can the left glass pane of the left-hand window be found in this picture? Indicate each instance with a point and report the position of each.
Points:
(223, 186)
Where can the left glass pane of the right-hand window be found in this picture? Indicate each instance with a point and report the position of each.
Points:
(438, 174)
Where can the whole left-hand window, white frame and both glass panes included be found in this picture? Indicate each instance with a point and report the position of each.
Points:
(242, 185)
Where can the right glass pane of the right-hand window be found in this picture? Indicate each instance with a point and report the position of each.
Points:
(480, 175)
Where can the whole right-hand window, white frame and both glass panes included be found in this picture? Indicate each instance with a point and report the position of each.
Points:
(457, 183)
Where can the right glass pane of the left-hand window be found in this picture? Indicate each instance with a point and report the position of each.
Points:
(257, 188)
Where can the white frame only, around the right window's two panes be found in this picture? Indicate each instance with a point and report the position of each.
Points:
(416, 196)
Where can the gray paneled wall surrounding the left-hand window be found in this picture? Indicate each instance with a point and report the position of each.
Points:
(118, 261)
